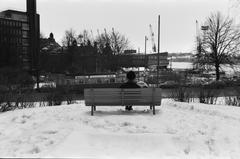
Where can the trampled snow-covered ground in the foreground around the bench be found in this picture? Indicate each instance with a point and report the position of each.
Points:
(178, 130)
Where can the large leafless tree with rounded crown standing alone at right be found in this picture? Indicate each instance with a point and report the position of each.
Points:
(220, 42)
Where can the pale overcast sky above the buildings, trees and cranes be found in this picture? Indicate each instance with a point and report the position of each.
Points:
(130, 17)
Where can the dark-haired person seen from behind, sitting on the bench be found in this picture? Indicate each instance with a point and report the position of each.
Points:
(131, 83)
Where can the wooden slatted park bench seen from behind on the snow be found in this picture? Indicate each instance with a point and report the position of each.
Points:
(122, 97)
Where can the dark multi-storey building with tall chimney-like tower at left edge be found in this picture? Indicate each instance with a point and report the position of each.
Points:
(19, 38)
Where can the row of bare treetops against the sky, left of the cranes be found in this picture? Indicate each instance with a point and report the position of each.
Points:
(106, 43)
